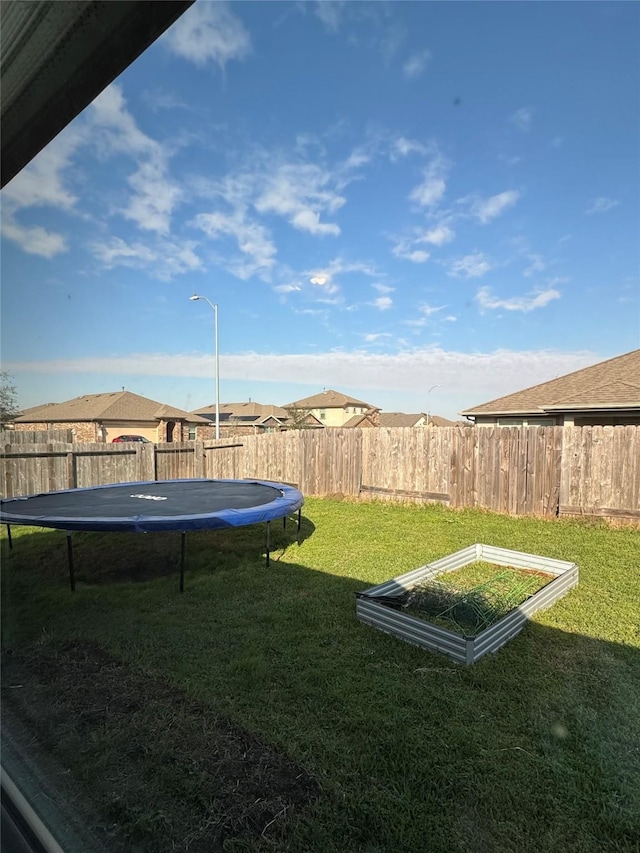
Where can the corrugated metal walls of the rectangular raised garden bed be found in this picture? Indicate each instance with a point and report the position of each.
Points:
(464, 649)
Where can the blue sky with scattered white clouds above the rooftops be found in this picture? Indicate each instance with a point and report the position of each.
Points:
(381, 198)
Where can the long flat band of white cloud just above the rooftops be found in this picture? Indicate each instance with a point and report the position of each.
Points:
(469, 378)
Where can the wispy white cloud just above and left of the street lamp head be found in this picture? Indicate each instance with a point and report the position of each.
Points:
(164, 259)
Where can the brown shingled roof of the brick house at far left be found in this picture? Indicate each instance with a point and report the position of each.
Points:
(112, 406)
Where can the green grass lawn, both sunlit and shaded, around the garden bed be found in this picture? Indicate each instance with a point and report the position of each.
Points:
(535, 748)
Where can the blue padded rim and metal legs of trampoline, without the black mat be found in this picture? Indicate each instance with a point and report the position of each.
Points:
(291, 500)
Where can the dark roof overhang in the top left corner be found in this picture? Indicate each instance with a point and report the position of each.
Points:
(56, 57)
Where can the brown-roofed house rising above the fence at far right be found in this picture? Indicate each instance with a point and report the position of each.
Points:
(607, 394)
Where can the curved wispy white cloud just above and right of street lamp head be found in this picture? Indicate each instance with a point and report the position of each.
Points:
(252, 239)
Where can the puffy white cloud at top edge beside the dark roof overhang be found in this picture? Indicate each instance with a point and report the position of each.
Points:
(209, 32)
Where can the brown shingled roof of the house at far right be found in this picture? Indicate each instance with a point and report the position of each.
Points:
(612, 384)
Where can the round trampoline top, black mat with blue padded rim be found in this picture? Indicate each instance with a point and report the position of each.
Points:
(197, 504)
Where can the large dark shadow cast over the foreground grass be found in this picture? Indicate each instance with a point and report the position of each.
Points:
(531, 749)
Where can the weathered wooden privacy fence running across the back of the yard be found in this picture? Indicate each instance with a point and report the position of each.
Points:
(544, 471)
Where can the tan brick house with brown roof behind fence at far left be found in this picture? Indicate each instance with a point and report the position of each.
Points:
(103, 417)
